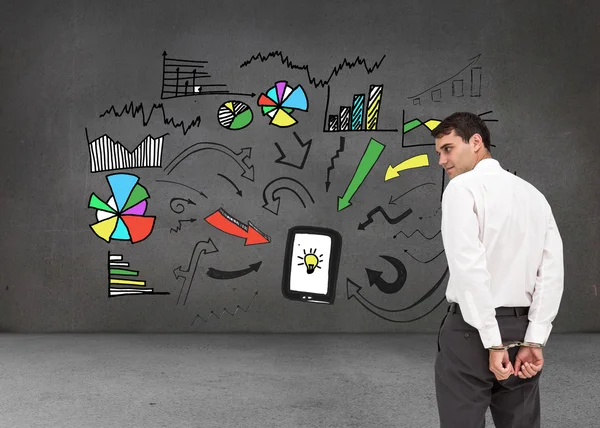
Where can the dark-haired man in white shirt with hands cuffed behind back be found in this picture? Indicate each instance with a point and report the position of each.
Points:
(505, 257)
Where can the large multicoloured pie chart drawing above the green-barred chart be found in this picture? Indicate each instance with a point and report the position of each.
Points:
(122, 216)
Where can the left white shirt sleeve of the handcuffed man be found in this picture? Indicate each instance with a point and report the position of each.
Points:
(467, 262)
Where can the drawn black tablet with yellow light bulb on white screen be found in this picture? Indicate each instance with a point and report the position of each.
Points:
(312, 257)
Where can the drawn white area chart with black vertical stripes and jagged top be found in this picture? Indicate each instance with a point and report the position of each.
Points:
(109, 155)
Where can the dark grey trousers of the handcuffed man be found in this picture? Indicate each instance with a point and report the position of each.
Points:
(464, 385)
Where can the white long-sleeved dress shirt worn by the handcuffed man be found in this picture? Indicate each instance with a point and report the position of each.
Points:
(503, 249)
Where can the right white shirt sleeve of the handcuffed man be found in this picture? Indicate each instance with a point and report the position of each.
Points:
(549, 285)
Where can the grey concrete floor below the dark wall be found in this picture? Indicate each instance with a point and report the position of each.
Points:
(258, 380)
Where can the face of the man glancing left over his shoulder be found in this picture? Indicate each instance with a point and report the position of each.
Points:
(456, 156)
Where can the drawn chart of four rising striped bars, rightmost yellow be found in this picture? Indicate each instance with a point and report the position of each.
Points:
(361, 116)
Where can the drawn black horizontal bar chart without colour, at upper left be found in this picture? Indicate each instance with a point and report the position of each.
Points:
(185, 78)
